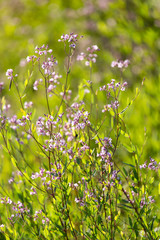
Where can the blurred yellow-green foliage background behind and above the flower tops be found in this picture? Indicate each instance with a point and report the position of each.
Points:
(123, 29)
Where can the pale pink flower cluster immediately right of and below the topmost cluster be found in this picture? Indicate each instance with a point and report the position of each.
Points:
(90, 56)
